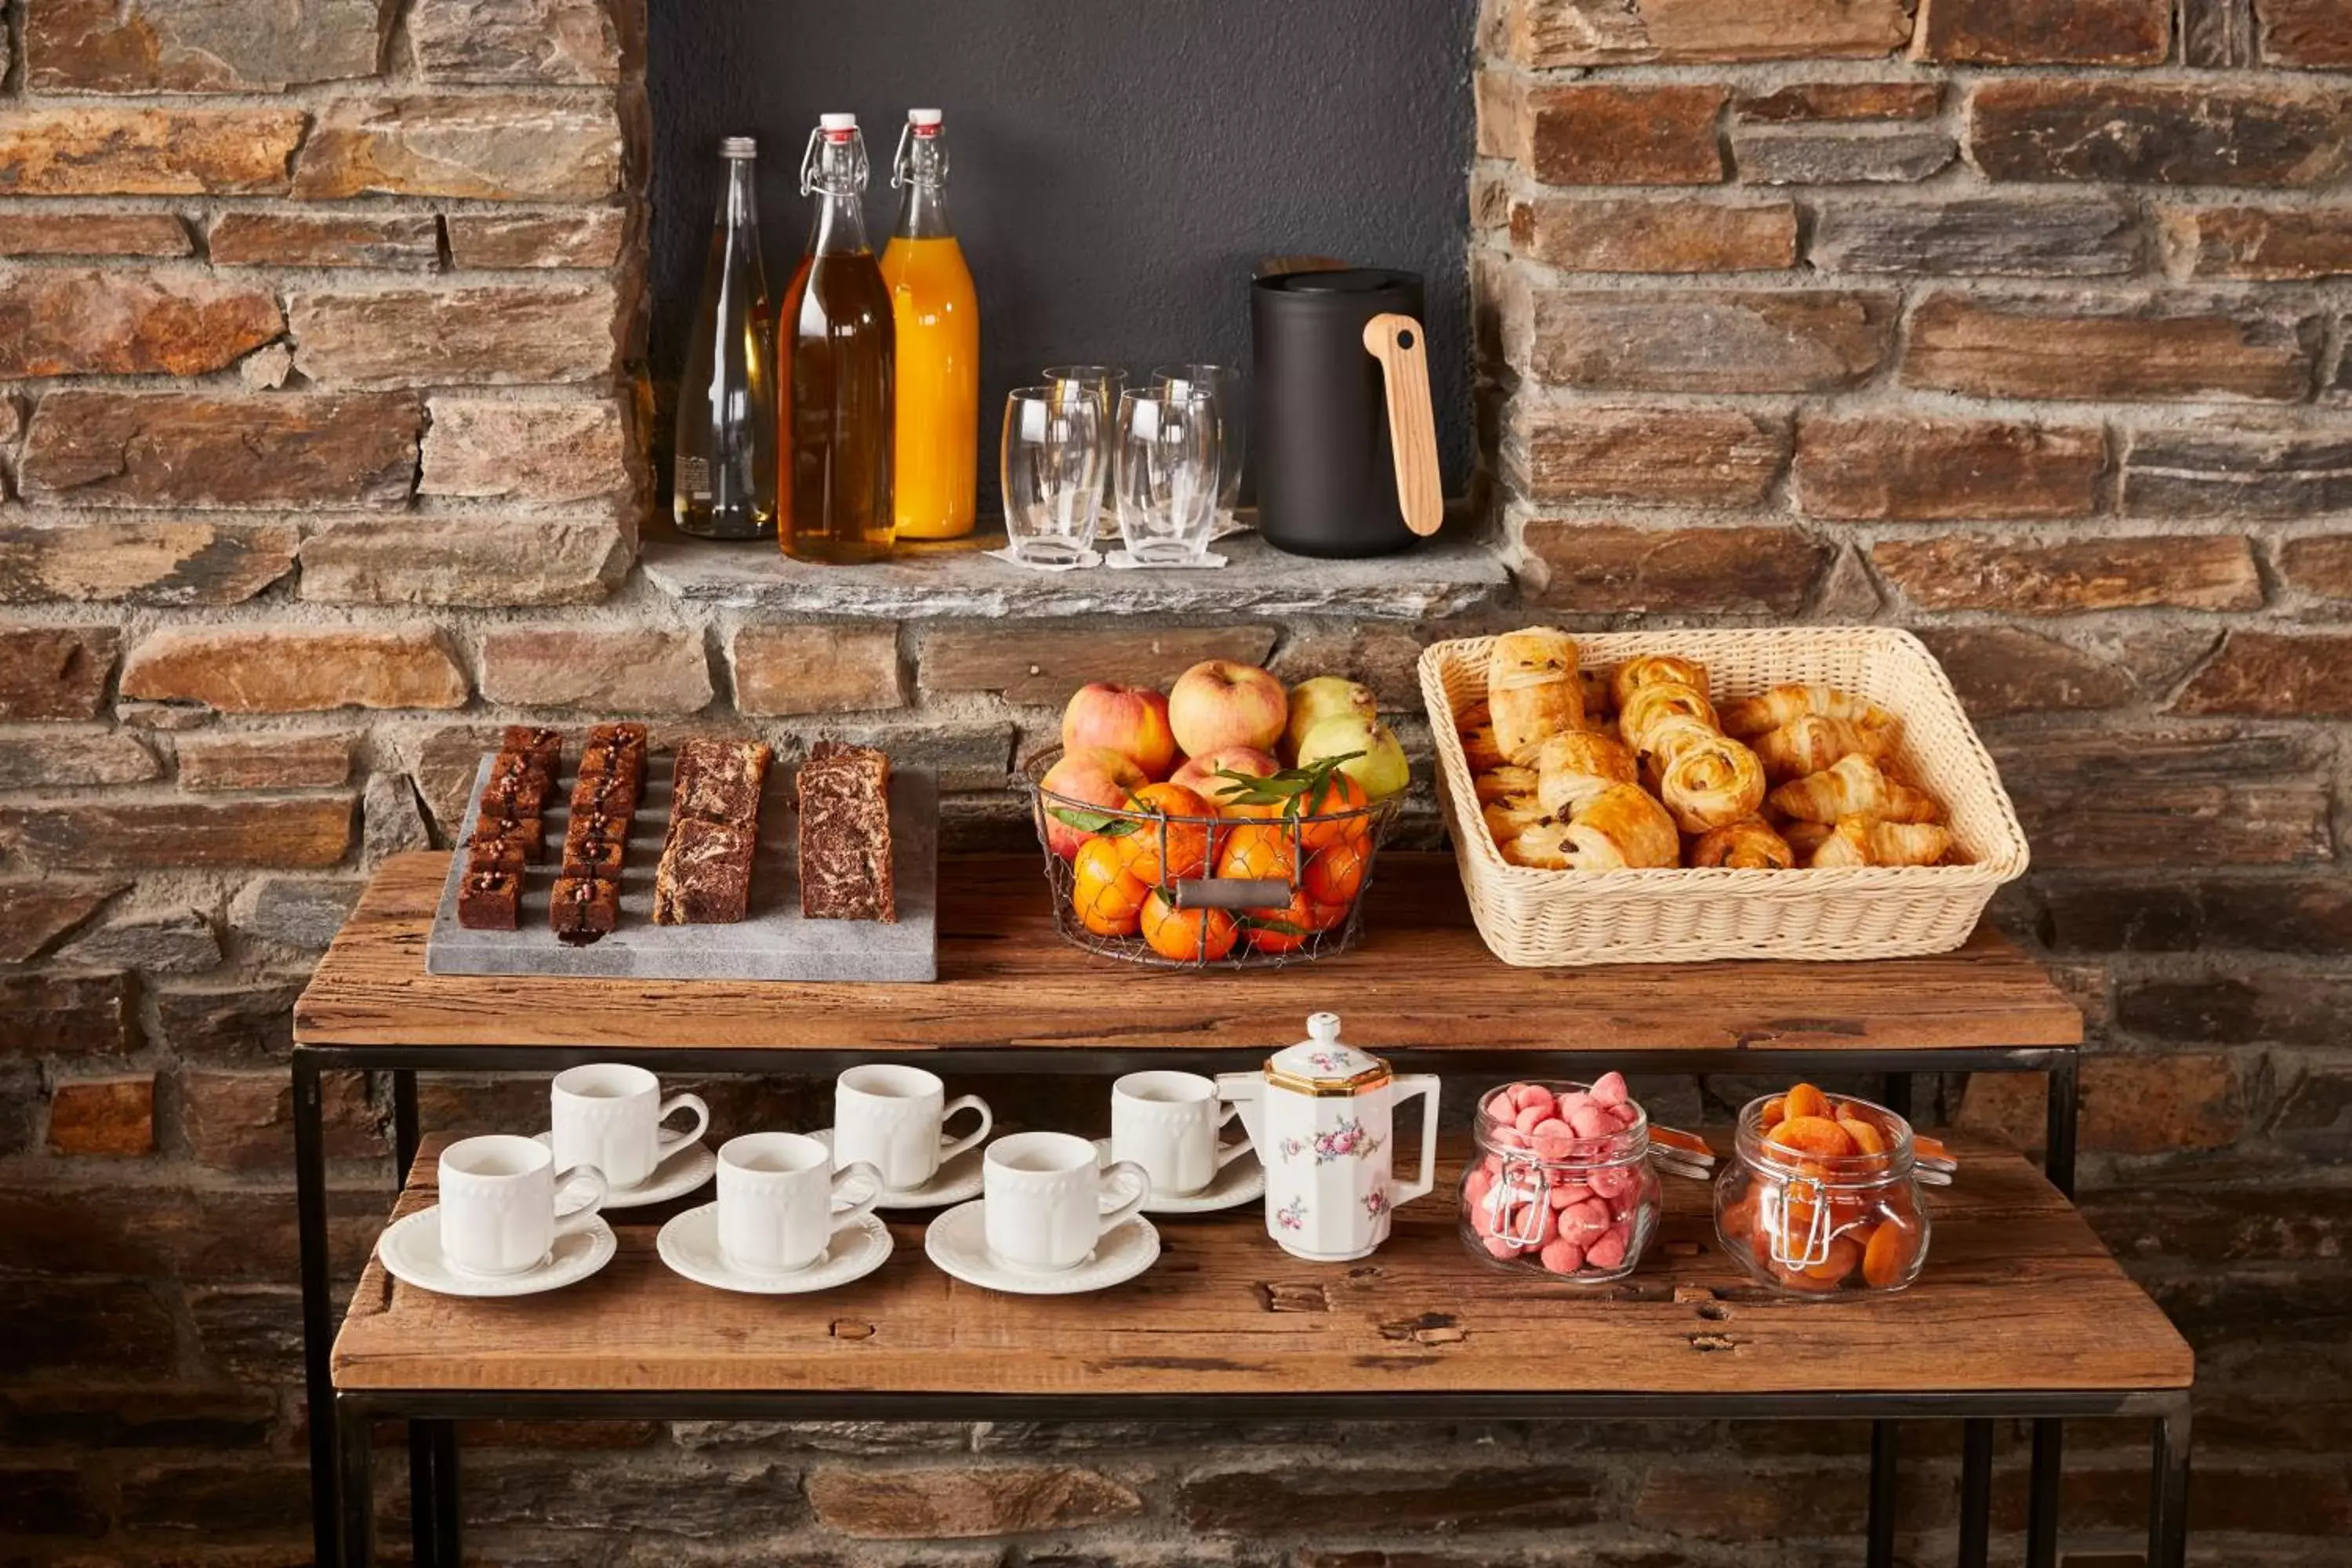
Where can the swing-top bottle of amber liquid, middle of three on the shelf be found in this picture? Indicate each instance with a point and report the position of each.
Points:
(838, 368)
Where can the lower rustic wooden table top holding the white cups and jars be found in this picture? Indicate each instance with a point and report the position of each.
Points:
(2019, 1296)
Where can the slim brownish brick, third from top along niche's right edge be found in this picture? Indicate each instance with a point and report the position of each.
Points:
(1645, 236)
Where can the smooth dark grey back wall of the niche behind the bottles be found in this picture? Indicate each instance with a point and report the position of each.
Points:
(1118, 168)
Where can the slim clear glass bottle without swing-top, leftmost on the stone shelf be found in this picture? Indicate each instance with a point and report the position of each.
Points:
(723, 478)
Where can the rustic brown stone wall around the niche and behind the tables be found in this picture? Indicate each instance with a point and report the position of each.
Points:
(321, 455)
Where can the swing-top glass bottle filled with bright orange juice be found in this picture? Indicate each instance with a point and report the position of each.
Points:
(940, 344)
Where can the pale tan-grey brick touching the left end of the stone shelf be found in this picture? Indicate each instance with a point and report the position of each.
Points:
(465, 561)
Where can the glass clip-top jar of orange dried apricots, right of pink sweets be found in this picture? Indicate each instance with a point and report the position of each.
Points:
(1824, 1195)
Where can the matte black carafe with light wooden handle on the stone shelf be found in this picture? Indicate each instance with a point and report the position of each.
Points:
(1342, 389)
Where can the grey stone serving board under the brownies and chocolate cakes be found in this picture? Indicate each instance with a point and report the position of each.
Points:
(770, 944)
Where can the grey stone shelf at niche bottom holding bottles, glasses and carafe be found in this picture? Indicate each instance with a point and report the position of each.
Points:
(1445, 577)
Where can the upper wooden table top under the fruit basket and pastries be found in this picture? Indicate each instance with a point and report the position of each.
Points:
(1422, 979)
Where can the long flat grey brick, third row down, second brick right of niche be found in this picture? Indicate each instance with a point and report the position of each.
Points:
(1977, 236)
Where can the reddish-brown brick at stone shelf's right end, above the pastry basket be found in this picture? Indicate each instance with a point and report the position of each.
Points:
(1608, 570)
